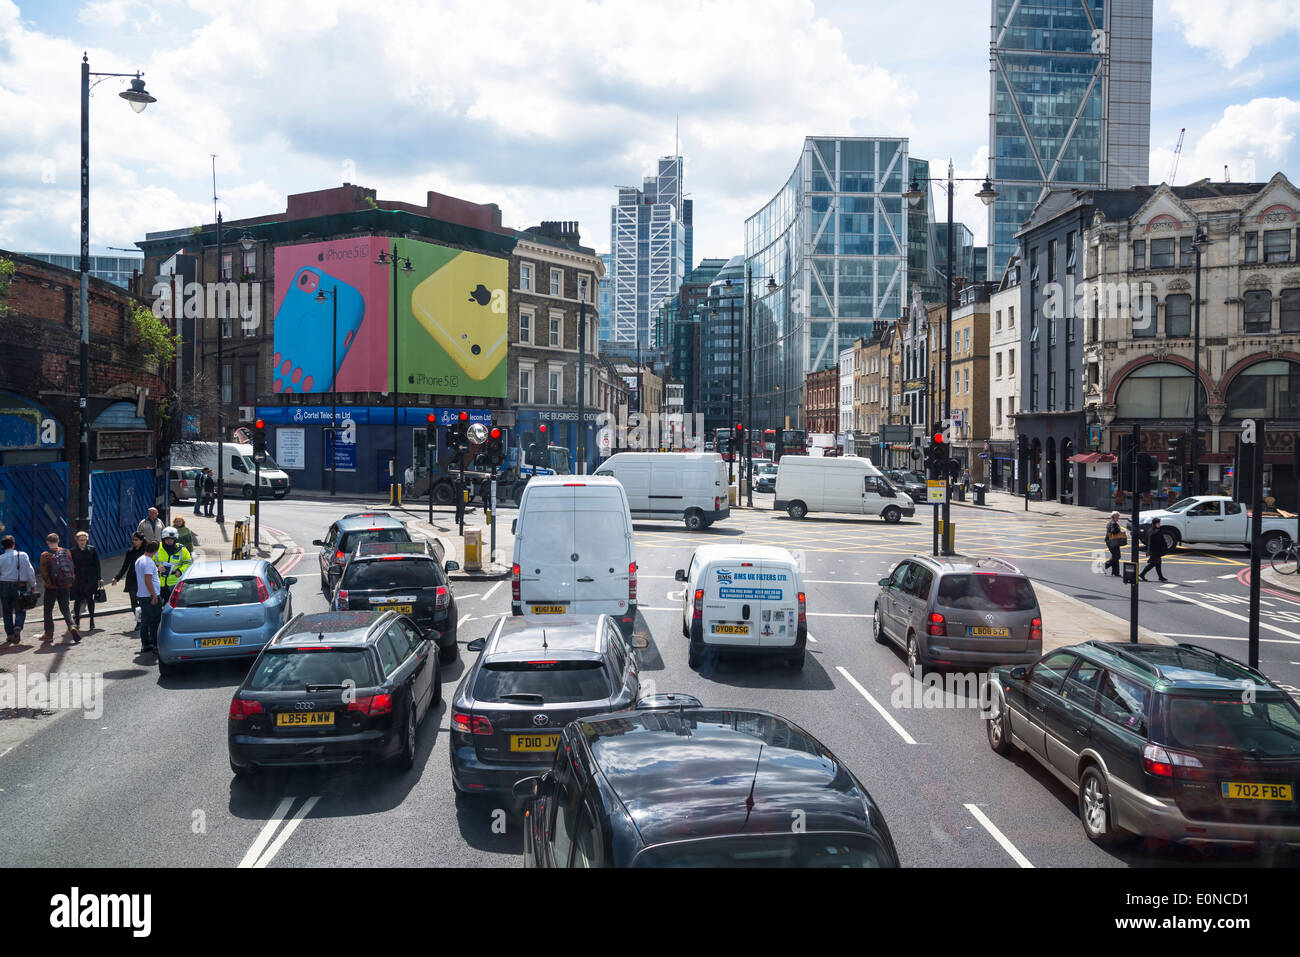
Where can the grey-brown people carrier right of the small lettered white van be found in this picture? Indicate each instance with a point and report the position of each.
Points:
(969, 612)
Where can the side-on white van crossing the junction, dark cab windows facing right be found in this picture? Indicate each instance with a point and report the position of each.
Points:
(838, 484)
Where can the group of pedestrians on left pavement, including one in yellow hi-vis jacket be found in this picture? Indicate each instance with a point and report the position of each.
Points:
(72, 579)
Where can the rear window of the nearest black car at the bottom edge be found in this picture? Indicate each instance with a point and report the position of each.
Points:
(769, 851)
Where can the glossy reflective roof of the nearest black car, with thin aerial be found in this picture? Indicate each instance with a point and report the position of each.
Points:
(687, 773)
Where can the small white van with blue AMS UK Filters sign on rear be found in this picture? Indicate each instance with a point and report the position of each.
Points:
(744, 600)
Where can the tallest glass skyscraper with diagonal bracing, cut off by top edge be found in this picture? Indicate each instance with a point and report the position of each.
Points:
(1069, 105)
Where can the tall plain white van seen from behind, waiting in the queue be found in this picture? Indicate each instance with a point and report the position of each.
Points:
(574, 551)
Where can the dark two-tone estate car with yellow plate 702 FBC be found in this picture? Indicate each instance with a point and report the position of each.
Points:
(1171, 742)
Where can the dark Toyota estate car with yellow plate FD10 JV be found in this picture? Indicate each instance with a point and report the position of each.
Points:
(535, 675)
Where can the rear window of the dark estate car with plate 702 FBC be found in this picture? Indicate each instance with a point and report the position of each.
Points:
(1268, 726)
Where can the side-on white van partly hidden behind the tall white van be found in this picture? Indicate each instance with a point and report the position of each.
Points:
(688, 487)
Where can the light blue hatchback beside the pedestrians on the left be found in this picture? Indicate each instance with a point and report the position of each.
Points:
(223, 610)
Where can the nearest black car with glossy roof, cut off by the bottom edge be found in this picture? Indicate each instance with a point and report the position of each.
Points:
(683, 786)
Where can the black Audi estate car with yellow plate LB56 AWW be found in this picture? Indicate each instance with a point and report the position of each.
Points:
(335, 688)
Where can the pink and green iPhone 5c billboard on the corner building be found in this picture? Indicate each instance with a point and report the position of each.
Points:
(452, 319)
